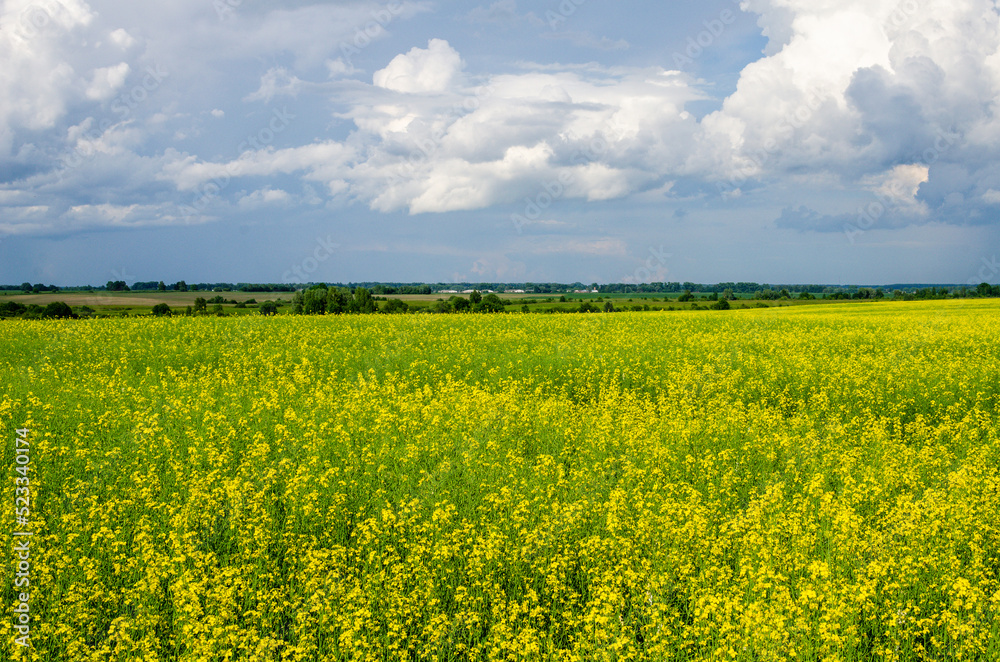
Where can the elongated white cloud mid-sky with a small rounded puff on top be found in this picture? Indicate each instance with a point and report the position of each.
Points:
(426, 143)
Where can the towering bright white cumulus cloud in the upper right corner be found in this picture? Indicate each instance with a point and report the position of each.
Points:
(857, 88)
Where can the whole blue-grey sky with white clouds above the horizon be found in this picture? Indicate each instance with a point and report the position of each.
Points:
(776, 141)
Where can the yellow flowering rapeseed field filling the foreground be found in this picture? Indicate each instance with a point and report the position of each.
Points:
(808, 483)
